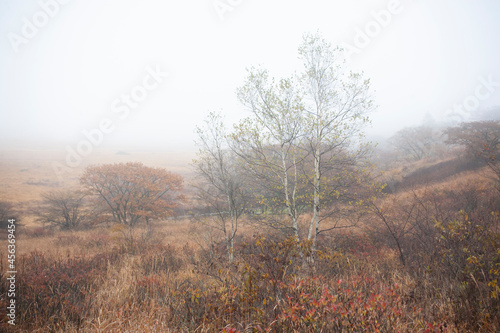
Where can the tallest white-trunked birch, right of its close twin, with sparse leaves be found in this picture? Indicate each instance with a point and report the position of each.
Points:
(336, 107)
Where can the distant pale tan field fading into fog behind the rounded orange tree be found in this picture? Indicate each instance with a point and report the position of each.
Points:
(26, 174)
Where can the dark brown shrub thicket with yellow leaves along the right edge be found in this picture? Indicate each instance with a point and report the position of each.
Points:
(452, 249)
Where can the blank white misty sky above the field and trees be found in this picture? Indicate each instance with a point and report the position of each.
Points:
(70, 74)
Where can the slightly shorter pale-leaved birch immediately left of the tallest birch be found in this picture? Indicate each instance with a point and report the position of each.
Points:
(268, 140)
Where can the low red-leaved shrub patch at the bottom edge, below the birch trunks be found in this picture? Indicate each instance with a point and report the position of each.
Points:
(360, 304)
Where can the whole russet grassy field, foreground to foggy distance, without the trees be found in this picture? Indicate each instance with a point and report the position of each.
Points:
(176, 277)
